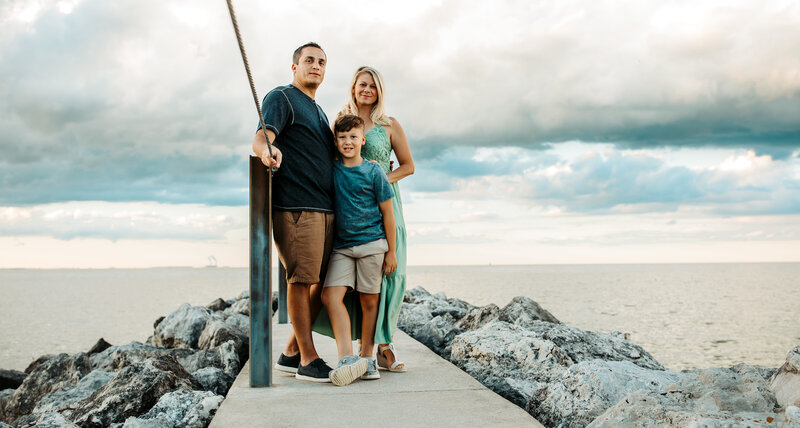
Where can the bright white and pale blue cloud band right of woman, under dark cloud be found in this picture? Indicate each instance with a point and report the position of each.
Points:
(616, 181)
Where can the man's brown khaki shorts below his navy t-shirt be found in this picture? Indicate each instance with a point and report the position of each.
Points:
(304, 240)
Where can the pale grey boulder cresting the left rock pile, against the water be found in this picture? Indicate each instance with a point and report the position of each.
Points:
(182, 327)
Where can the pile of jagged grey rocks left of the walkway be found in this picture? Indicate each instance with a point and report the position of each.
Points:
(177, 378)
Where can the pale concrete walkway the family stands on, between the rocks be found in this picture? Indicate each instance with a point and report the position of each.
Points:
(433, 393)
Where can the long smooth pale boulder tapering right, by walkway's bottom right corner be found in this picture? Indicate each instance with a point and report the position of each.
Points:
(589, 388)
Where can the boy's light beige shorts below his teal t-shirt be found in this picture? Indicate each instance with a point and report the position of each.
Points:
(359, 267)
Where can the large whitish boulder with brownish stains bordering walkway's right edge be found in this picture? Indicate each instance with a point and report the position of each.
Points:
(509, 359)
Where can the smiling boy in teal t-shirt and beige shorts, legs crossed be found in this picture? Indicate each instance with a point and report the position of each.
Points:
(363, 248)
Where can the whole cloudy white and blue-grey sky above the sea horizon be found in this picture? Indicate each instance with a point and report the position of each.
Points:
(542, 132)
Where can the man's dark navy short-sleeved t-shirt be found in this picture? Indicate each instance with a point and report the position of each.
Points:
(304, 182)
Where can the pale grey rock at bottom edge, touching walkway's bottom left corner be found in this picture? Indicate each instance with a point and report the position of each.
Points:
(189, 409)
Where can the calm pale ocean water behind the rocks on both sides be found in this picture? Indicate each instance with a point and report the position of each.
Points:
(685, 315)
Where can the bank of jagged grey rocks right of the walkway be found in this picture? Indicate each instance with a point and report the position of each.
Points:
(567, 377)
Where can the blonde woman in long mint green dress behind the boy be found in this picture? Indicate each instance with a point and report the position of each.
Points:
(384, 136)
